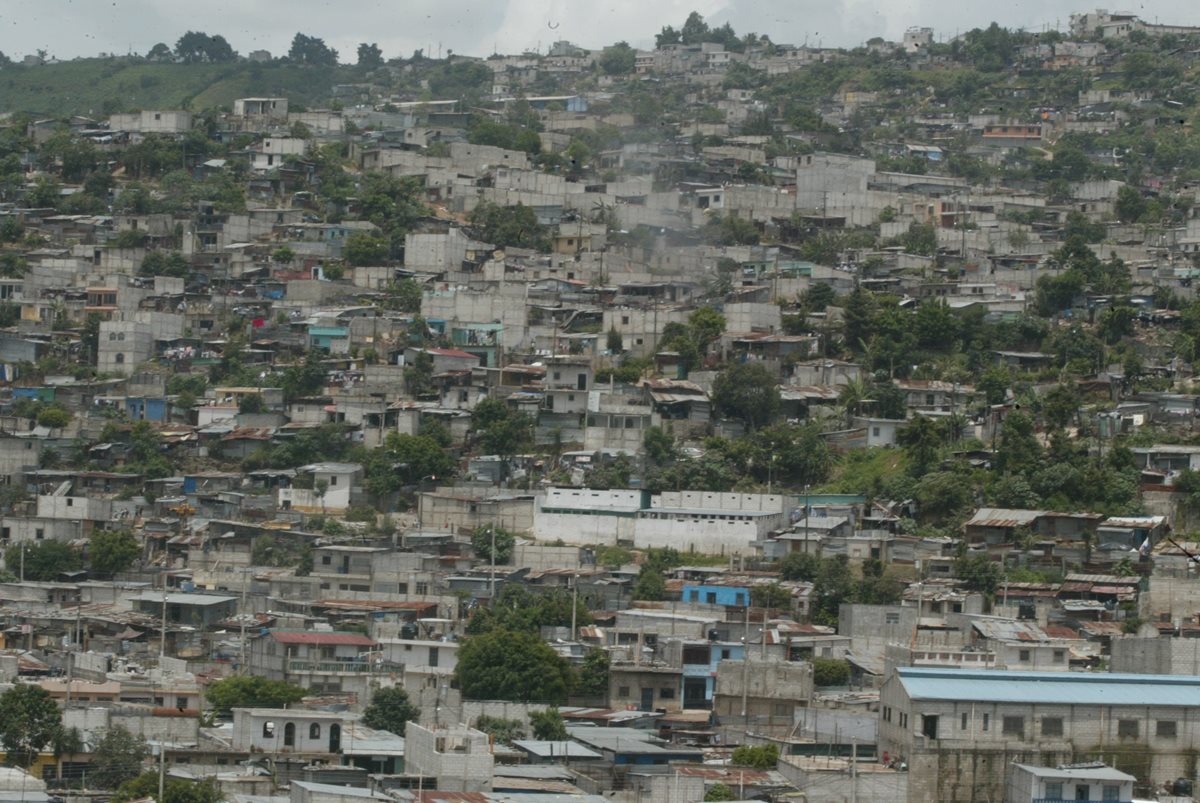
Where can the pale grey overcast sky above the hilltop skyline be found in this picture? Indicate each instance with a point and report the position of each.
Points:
(74, 28)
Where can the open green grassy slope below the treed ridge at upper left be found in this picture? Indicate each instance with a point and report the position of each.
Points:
(99, 87)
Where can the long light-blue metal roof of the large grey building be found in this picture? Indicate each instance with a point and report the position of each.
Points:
(1049, 688)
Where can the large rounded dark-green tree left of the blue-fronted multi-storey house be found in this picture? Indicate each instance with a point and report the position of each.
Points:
(512, 666)
